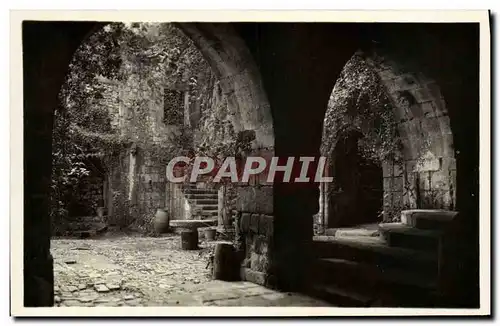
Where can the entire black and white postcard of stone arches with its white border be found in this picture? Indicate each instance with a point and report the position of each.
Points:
(217, 161)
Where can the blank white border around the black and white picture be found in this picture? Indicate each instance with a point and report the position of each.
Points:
(16, 184)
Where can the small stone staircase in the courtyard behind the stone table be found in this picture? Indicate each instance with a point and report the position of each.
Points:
(203, 202)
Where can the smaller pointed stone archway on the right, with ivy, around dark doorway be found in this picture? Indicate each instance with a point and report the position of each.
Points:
(420, 169)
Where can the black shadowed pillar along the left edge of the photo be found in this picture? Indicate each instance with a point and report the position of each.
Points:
(47, 50)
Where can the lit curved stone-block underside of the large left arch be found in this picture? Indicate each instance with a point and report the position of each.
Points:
(232, 62)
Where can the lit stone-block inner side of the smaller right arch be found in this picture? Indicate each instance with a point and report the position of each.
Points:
(427, 176)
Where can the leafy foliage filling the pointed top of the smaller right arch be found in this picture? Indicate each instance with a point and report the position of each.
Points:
(359, 103)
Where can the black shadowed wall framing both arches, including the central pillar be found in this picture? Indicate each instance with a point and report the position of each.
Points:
(298, 64)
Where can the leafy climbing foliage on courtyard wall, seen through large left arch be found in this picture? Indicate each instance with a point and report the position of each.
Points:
(85, 126)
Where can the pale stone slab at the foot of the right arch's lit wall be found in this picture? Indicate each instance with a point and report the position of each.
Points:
(428, 219)
